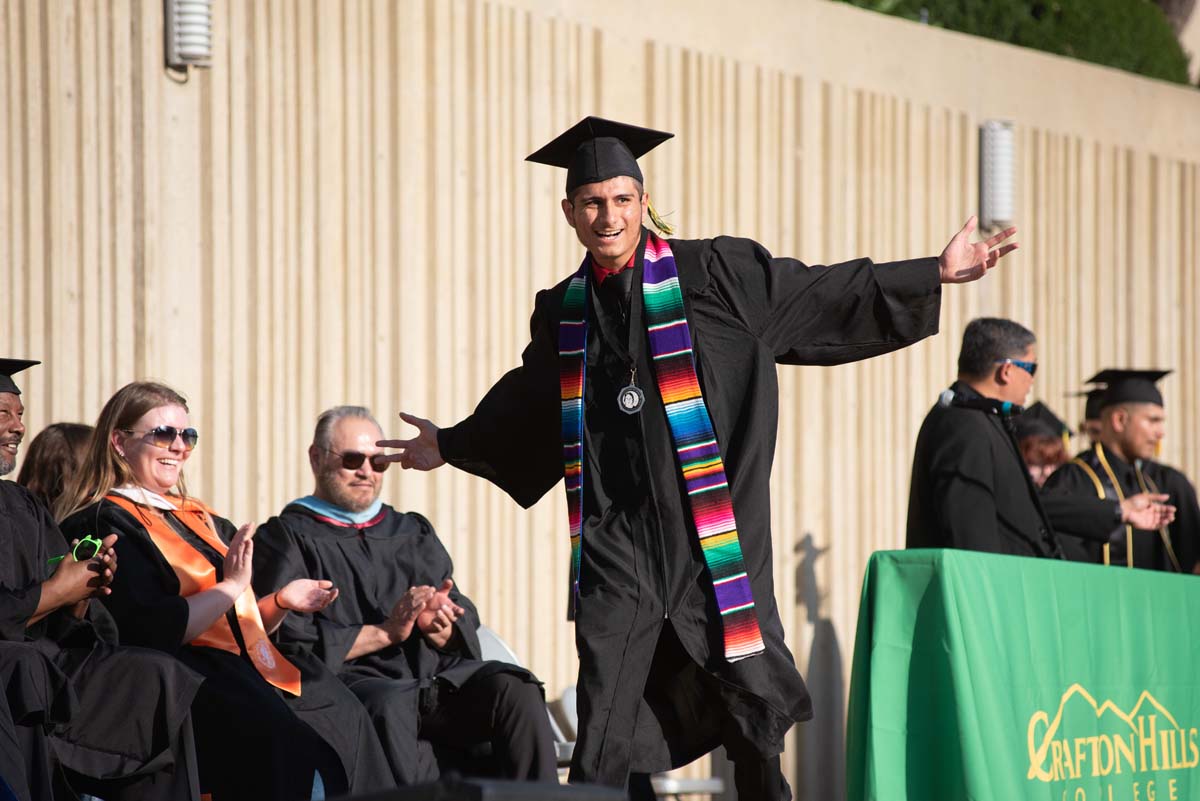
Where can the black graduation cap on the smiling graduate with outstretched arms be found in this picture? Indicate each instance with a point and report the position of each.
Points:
(596, 149)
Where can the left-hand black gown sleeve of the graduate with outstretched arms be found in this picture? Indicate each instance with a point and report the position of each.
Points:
(513, 437)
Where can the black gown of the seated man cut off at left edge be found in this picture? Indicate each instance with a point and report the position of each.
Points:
(117, 719)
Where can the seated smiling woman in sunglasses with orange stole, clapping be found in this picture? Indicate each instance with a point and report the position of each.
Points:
(265, 722)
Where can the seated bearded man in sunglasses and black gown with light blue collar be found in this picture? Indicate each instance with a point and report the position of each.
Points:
(401, 636)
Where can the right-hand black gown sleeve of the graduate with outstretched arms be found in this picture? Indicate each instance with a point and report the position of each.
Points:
(827, 315)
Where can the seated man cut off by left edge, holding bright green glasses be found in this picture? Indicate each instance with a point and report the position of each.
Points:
(111, 721)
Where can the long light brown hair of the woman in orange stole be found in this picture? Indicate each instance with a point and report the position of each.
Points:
(105, 468)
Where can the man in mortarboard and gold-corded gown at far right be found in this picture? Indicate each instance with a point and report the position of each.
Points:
(1119, 466)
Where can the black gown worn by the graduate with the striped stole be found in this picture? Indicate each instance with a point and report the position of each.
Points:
(643, 573)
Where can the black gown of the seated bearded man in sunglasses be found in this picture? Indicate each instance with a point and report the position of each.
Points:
(373, 567)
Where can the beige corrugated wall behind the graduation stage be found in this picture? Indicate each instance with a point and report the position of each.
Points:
(338, 212)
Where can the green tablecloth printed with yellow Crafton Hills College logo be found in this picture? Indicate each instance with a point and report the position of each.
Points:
(983, 677)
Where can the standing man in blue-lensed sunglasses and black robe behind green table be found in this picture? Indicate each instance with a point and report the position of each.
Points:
(970, 486)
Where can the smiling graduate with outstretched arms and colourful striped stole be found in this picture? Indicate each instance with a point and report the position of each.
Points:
(650, 384)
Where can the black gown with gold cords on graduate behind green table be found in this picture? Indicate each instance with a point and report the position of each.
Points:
(1150, 551)
